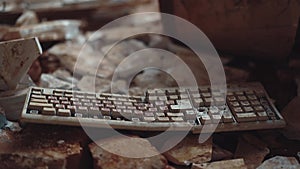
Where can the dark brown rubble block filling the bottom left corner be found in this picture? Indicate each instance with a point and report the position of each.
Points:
(26, 149)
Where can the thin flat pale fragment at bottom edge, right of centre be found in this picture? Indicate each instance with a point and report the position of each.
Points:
(226, 164)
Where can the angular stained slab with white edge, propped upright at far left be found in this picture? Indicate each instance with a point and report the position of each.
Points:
(16, 57)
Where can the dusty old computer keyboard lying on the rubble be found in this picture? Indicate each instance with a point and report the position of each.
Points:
(198, 109)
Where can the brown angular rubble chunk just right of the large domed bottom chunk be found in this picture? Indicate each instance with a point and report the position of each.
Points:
(189, 150)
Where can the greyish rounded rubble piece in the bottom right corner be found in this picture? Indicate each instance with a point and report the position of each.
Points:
(280, 162)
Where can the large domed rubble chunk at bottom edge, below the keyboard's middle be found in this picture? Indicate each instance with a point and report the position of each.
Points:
(126, 153)
